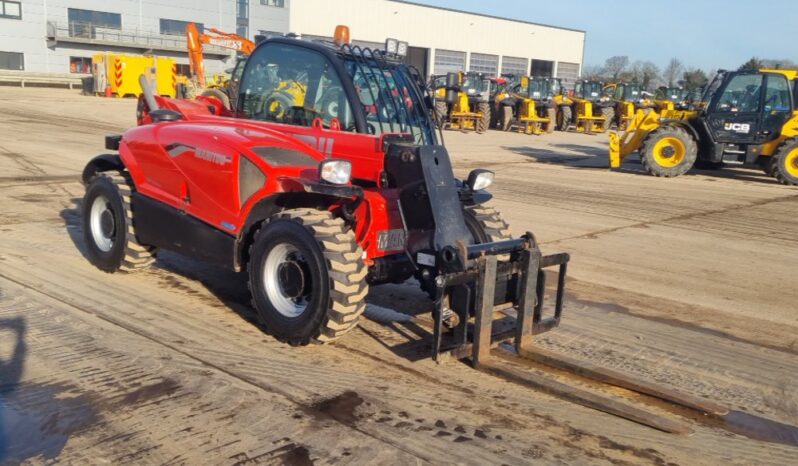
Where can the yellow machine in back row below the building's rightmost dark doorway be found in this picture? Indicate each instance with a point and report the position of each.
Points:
(531, 108)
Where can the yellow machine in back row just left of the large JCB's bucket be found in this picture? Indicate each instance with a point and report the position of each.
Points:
(586, 109)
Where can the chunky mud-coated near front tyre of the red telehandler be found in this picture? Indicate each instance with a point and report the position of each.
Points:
(332, 266)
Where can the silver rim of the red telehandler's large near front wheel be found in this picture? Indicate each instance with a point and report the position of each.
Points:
(286, 280)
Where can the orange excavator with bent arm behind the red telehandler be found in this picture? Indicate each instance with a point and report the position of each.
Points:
(220, 86)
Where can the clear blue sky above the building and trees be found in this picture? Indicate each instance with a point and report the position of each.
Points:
(708, 34)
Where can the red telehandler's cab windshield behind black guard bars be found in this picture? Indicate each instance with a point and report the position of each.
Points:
(392, 100)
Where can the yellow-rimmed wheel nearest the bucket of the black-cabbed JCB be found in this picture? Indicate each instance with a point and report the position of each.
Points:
(668, 151)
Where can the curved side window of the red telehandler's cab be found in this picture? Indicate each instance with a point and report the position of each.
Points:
(292, 85)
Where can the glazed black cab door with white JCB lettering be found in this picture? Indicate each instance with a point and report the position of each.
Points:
(735, 116)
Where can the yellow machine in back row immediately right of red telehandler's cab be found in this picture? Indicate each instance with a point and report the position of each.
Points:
(463, 102)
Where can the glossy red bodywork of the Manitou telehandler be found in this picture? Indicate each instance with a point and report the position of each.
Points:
(192, 165)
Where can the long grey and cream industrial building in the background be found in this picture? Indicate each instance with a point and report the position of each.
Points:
(60, 36)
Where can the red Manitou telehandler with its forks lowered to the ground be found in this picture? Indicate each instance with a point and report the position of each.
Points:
(321, 195)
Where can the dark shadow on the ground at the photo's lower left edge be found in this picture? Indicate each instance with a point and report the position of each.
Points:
(11, 370)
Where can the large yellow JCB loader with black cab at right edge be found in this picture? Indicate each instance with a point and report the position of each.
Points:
(748, 117)
